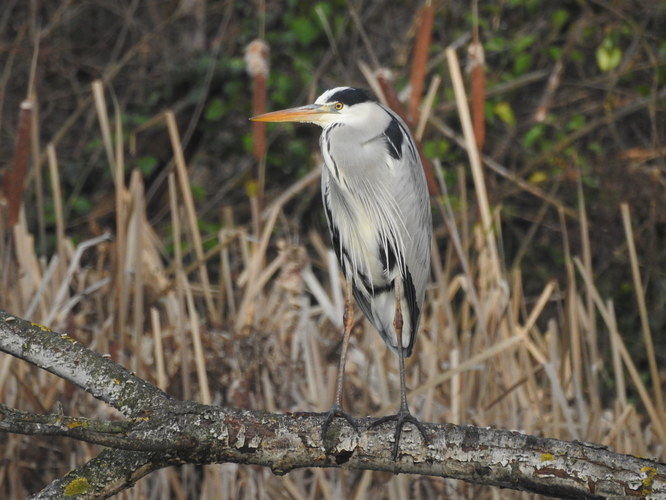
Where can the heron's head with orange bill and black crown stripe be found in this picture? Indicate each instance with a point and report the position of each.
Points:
(342, 105)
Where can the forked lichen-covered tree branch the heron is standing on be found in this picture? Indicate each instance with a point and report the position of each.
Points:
(164, 431)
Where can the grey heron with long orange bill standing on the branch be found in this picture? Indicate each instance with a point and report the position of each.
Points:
(377, 207)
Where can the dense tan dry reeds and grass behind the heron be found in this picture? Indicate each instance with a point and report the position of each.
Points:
(255, 322)
